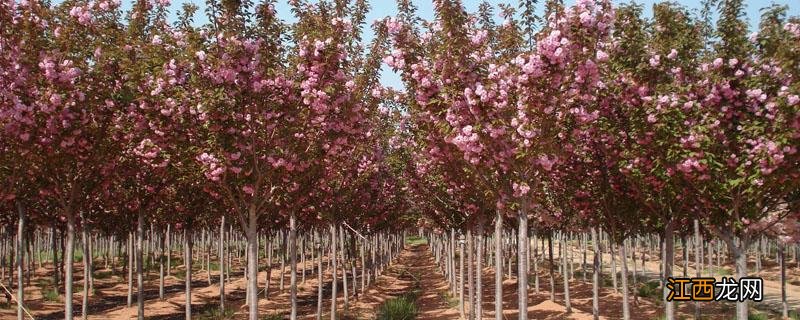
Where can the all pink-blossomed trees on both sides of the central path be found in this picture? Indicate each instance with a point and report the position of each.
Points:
(588, 116)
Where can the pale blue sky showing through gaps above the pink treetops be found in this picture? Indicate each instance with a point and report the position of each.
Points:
(383, 8)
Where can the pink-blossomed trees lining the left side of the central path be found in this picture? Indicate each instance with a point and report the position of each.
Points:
(116, 122)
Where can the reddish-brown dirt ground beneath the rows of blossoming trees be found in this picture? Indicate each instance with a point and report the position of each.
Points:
(413, 270)
